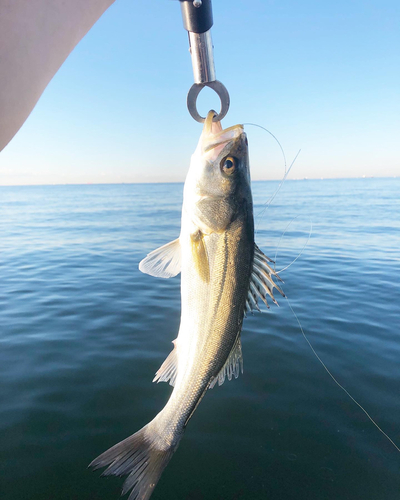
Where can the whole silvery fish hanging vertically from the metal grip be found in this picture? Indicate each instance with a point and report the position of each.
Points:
(223, 274)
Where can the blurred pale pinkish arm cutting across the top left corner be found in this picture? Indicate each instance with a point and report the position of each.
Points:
(36, 36)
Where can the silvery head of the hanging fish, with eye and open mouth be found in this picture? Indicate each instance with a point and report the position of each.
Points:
(217, 186)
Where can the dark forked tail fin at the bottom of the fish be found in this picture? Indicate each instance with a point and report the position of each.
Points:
(143, 456)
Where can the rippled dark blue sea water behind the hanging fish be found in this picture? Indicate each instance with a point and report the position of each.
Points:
(82, 333)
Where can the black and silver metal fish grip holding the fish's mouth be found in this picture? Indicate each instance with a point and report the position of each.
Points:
(197, 21)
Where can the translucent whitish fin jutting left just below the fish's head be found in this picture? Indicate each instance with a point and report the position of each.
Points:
(164, 262)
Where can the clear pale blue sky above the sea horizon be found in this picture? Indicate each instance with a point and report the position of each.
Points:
(323, 77)
